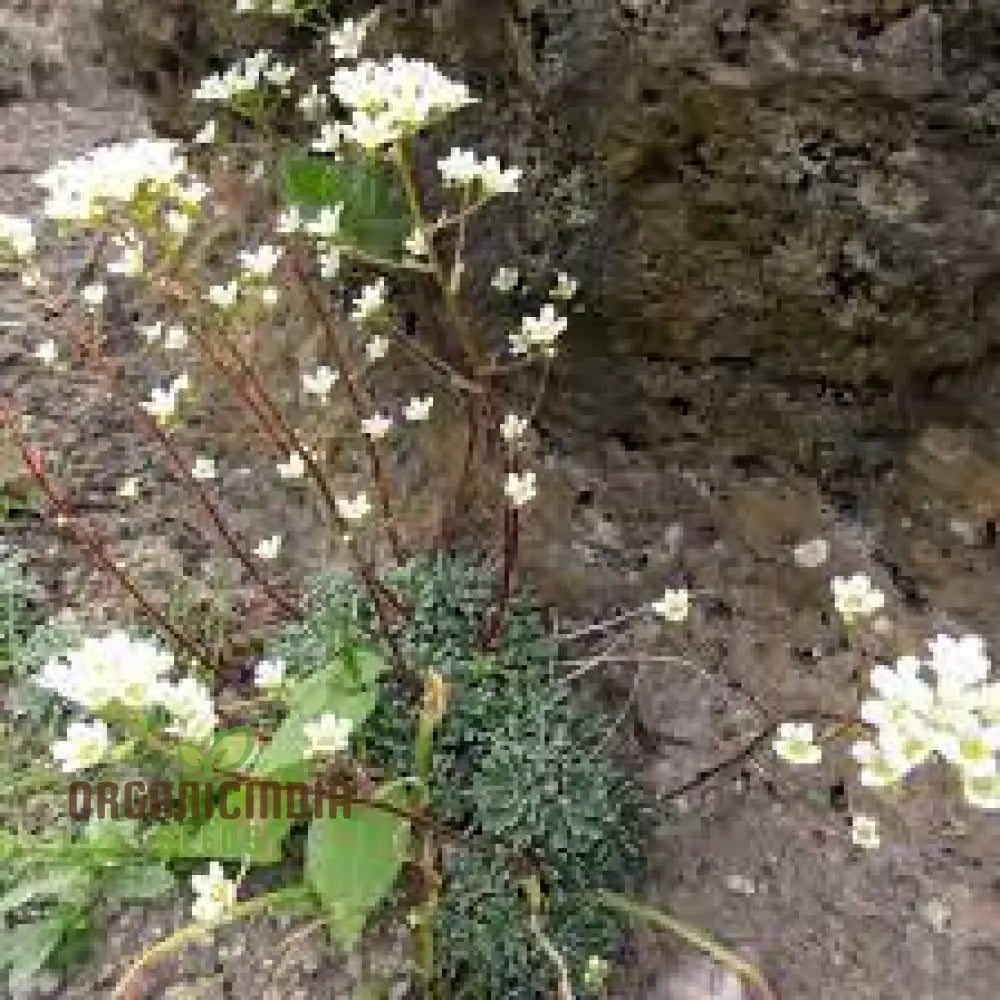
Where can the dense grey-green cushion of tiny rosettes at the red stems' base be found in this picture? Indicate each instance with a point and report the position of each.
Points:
(516, 764)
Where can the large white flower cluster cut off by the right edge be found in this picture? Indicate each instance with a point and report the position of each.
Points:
(940, 705)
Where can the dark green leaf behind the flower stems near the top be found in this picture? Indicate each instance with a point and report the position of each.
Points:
(375, 217)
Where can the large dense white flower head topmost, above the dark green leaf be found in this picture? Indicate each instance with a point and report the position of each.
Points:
(392, 99)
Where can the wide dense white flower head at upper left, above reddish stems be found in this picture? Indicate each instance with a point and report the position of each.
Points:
(82, 189)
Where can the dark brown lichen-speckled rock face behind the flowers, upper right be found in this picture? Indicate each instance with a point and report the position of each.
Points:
(810, 187)
